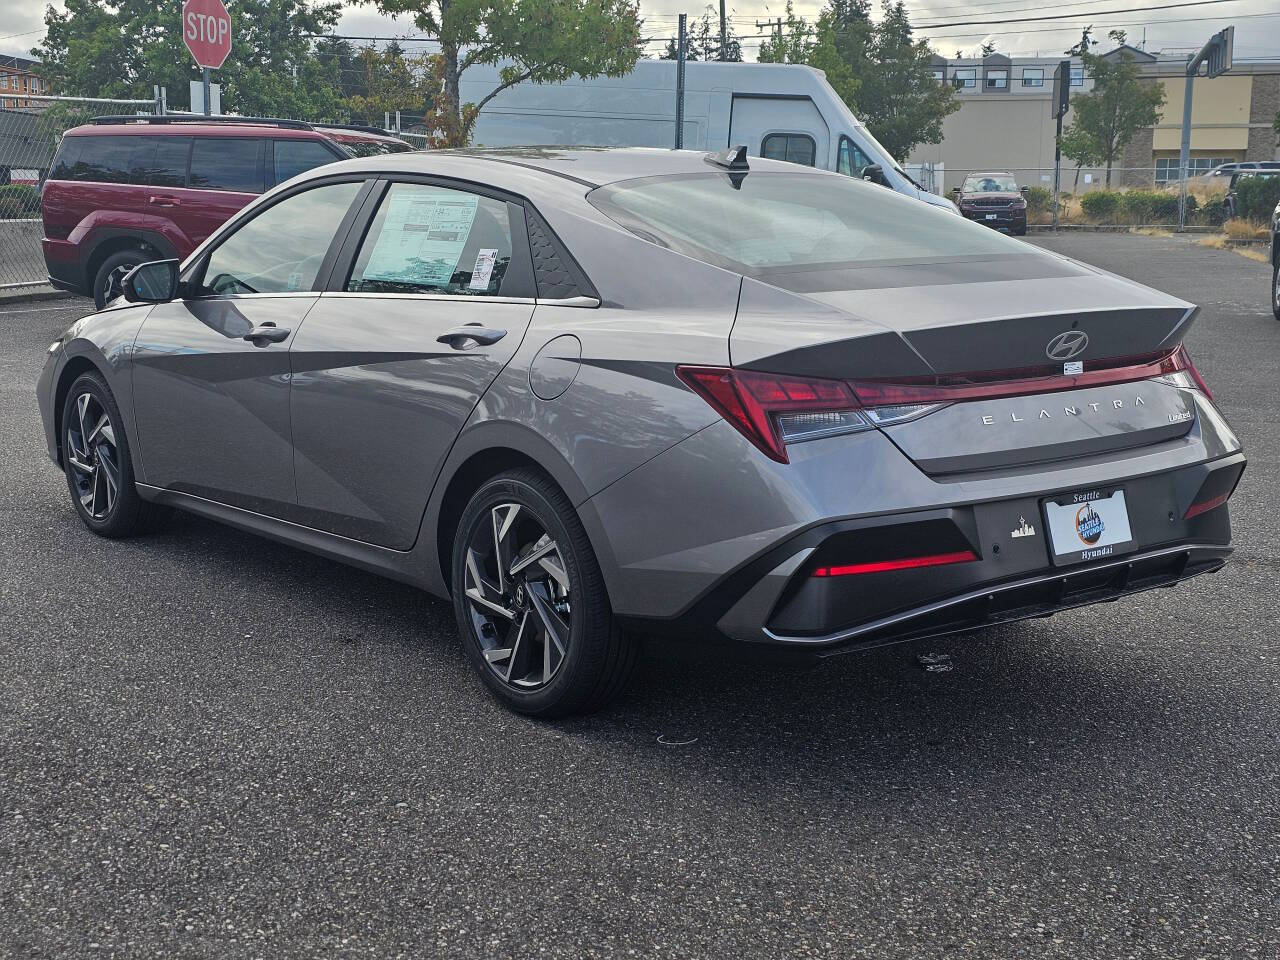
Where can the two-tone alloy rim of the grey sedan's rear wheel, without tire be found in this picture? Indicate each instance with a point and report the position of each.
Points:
(518, 591)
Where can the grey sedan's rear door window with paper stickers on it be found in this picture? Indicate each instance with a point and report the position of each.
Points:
(433, 240)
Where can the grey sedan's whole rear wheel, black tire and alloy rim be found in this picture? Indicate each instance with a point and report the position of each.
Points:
(531, 601)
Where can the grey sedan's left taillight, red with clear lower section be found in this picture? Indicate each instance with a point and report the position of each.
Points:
(774, 410)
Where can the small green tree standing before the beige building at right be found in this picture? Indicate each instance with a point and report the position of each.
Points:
(1105, 120)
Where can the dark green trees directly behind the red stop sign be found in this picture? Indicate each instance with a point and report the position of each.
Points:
(122, 48)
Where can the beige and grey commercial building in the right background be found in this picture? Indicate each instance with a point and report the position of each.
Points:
(1005, 122)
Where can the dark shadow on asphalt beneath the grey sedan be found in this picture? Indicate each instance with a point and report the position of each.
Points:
(1023, 701)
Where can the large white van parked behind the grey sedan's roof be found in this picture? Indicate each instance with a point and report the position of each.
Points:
(785, 112)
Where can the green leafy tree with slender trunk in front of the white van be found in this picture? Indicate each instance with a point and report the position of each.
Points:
(545, 42)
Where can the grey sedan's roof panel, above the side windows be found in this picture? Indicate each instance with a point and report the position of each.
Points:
(591, 167)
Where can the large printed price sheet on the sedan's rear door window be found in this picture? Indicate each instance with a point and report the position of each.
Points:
(423, 239)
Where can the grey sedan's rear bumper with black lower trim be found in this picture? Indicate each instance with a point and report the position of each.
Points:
(770, 598)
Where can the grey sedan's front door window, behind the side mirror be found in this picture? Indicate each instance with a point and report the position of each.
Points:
(282, 249)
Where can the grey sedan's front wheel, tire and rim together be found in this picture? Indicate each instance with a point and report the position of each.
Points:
(98, 464)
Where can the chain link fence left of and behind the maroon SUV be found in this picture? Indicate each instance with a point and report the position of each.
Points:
(29, 140)
